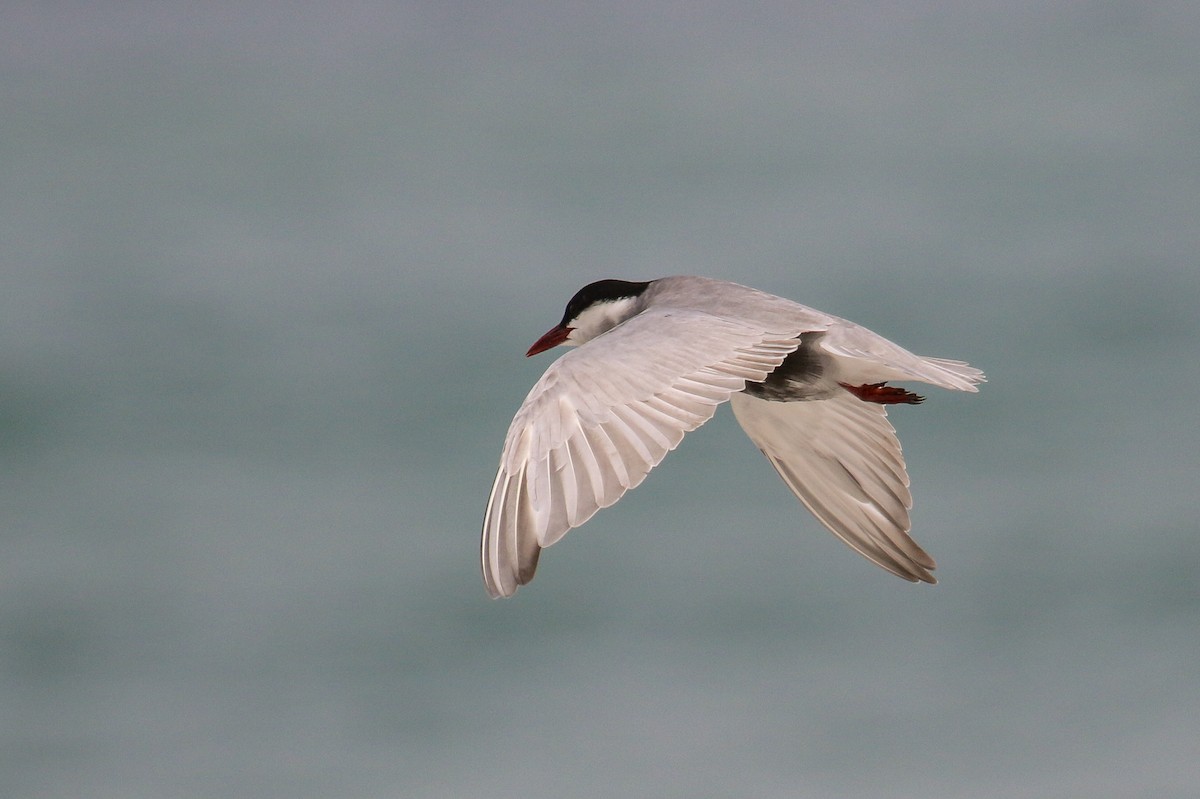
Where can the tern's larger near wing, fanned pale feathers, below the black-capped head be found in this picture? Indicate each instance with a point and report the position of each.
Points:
(604, 416)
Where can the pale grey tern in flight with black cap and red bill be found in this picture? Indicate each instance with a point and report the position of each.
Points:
(655, 359)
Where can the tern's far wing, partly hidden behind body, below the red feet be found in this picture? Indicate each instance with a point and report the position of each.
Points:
(842, 459)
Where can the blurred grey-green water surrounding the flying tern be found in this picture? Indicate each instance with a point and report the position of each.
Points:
(268, 275)
